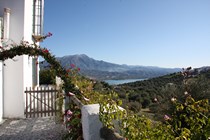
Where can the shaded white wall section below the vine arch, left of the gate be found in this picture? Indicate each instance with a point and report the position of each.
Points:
(13, 89)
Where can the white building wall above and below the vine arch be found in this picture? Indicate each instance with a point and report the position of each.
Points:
(18, 73)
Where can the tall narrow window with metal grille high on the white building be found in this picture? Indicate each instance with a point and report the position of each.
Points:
(38, 12)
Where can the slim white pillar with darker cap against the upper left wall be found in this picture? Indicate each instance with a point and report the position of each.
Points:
(6, 22)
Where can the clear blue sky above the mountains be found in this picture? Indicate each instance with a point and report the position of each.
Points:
(163, 33)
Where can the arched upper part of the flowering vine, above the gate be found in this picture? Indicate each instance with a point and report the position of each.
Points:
(25, 48)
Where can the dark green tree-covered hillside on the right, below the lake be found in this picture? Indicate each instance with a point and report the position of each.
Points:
(141, 94)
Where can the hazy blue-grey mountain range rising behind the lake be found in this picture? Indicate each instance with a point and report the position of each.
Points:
(102, 70)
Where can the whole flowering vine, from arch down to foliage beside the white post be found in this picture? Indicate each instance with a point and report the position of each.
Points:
(72, 84)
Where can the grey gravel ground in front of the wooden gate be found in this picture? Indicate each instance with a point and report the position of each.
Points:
(31, 129)
